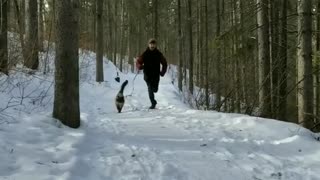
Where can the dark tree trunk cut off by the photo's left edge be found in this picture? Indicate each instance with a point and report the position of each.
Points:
(4, 36)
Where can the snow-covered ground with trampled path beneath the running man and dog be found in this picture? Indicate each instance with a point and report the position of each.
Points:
(172, 142)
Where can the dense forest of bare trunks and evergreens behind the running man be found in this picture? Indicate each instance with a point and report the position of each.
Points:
(255, 57)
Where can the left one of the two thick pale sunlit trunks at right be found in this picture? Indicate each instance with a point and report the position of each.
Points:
(264, 59)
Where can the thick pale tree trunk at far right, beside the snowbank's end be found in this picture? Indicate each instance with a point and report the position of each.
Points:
(304, 54)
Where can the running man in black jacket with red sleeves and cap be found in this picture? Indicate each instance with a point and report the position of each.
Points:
(150, 61)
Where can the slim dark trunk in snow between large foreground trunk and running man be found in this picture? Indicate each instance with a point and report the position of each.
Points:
(99, 40)
